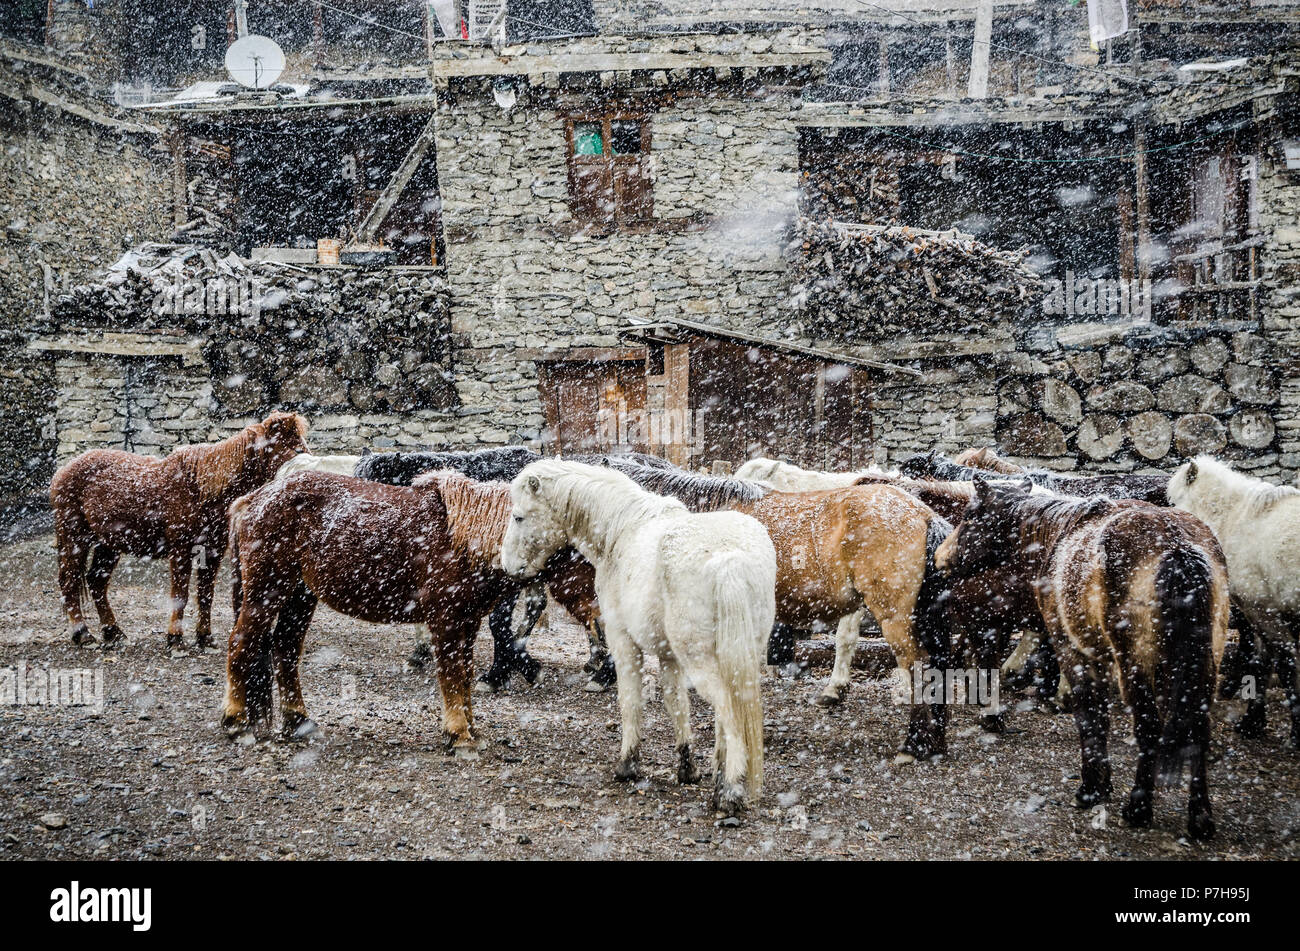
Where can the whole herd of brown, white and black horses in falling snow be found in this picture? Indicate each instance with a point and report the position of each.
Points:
(1115, 584)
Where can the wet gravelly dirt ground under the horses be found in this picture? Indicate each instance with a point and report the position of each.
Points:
(153, 778)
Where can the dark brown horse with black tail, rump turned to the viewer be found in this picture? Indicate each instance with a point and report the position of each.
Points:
(1128, 593)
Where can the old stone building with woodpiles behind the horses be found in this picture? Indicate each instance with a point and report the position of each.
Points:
(1004, 235)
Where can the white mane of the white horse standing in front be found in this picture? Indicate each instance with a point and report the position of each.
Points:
(597, 502)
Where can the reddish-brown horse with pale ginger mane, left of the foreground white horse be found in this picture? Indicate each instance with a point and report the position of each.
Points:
(427, 554)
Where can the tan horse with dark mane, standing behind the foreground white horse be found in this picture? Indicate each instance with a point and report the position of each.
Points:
(838, 553)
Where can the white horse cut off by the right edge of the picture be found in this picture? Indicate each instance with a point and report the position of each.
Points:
(1259, 527)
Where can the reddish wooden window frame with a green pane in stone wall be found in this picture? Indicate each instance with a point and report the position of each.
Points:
(630, 212)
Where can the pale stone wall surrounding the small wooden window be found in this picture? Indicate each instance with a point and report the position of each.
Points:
(526, 281)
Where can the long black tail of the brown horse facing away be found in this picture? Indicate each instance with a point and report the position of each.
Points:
(1185, 592)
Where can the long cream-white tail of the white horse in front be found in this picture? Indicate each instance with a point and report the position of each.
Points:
(742, 635)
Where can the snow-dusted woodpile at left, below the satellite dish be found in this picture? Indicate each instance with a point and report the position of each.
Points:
(311, 338)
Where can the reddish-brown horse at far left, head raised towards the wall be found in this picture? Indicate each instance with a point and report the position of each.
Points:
(109, 502)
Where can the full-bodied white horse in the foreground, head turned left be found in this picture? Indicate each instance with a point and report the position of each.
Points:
(699, 592)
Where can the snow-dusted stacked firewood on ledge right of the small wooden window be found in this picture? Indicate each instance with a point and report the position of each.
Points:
(872, 280)
